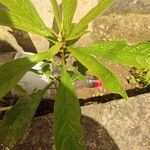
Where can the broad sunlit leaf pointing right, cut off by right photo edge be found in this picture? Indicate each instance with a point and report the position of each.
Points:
(136, 55)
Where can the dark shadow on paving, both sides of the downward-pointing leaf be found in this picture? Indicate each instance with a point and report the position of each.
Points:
(39, 135)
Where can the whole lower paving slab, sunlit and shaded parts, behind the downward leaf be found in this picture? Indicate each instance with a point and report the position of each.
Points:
(116, 125)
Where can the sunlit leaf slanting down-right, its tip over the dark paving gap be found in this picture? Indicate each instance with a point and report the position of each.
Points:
(100, 71)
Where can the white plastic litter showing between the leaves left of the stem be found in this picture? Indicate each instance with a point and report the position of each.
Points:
(32, 81)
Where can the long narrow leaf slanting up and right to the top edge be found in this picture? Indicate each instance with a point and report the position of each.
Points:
(92, 14)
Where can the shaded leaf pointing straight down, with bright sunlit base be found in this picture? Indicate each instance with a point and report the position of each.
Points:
(67, 113)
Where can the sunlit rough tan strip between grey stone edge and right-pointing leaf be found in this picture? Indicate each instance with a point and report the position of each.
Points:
(130, 27)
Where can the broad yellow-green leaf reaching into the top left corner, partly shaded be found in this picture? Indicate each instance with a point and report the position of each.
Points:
(22, 15)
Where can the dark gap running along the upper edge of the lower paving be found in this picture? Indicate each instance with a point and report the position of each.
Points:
(47, 106)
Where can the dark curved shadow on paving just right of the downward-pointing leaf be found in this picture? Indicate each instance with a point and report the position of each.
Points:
(96, 136)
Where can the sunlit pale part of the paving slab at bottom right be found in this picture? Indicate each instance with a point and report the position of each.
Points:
(127, 122)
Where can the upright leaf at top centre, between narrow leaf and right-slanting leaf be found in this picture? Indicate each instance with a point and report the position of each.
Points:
(69, 8)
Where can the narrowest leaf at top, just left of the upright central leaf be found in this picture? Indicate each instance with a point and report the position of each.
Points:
(56, 12)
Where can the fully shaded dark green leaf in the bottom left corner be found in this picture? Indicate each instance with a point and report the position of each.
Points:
(17, 119)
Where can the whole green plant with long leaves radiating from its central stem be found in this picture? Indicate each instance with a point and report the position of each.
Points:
(67, 129)
